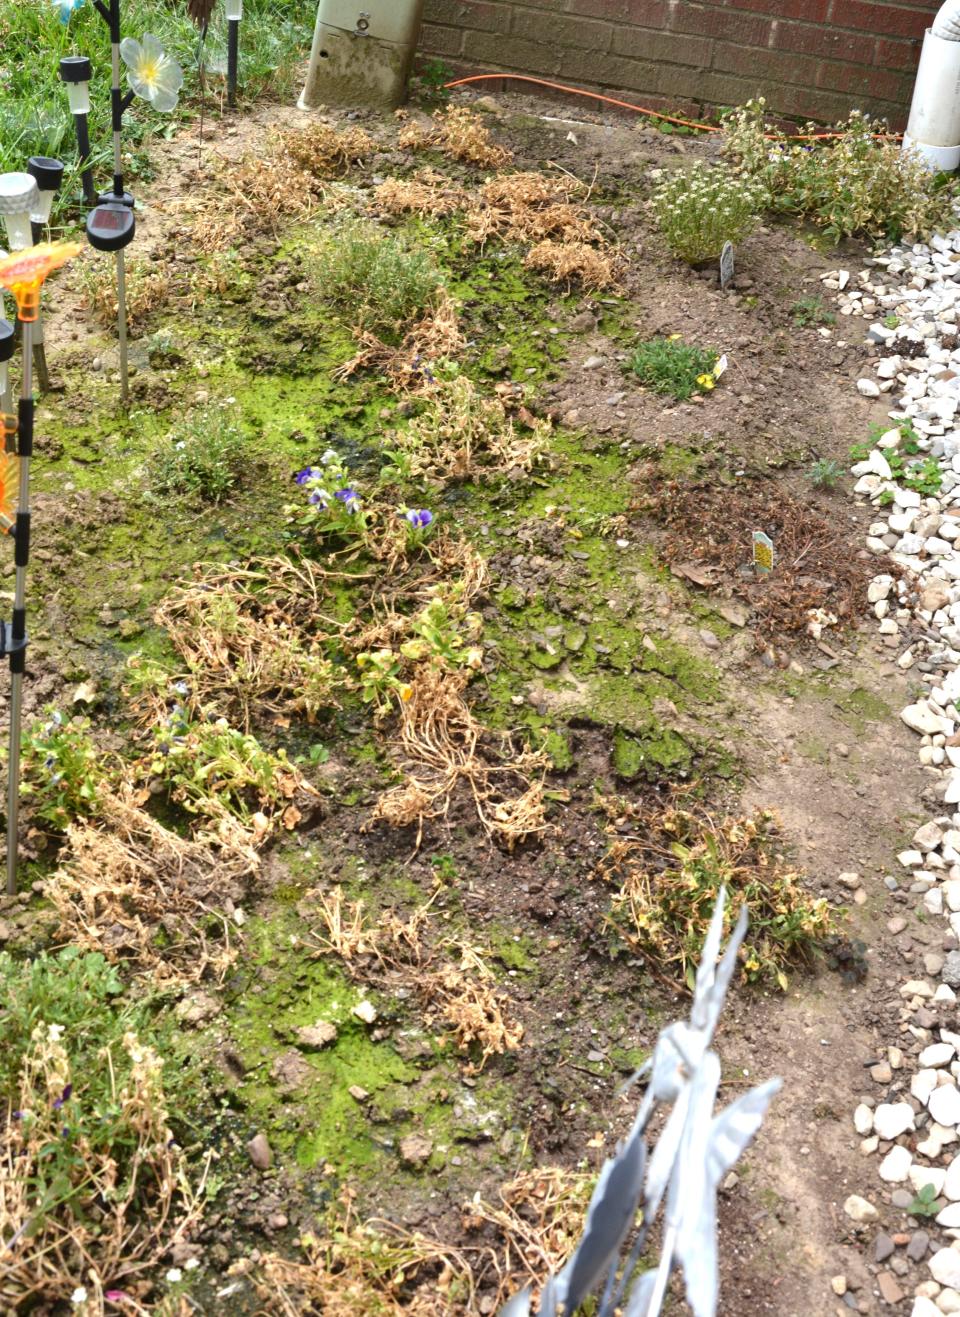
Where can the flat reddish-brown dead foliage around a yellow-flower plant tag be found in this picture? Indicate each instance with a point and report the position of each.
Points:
(708, 542)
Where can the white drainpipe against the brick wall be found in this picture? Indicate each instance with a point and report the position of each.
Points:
(934, 126)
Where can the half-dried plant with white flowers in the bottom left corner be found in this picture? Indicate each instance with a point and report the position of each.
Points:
(89, 1199)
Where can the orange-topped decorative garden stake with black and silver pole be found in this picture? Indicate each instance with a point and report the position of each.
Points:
(23, 275)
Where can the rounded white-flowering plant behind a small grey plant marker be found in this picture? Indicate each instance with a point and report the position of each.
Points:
(701, 209)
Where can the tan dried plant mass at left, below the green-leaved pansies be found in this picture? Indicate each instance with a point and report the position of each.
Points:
(127, 879)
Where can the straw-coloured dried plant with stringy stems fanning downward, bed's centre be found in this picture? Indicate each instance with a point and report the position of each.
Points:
(440, 745)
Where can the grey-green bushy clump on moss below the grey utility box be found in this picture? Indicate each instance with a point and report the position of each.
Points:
(381, 281)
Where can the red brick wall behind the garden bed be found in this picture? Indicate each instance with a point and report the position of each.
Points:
(811, 59)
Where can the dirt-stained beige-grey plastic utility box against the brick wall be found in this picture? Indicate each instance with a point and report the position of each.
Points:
(363, 53)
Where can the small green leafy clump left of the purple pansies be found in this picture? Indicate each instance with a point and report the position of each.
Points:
(202, 459)
